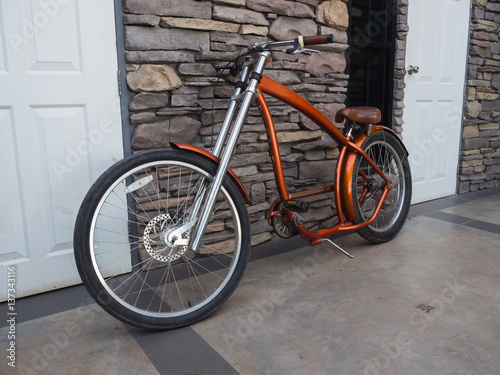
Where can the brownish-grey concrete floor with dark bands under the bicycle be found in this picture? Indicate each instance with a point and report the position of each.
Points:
(425, 303)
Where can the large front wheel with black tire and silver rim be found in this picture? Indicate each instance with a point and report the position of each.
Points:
(120, 244)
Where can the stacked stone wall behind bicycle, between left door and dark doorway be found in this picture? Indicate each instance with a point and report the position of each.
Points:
(176, 48)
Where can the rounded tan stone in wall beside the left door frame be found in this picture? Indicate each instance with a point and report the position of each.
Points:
(153, 78)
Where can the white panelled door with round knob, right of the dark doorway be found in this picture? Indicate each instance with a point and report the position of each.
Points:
(437, 44)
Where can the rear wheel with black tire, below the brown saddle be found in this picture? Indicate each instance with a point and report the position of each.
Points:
(390, 156)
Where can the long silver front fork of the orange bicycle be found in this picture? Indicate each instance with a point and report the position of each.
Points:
(212, 190)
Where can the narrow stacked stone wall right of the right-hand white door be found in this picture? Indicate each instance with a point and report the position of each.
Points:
(480, 159)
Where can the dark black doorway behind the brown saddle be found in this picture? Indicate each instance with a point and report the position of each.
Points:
(372, 39)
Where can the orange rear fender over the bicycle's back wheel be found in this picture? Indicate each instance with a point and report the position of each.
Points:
(347, 170)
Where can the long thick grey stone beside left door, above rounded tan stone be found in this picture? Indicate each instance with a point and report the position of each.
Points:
(139, 38)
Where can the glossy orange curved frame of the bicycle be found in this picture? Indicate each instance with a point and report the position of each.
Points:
(347, 149)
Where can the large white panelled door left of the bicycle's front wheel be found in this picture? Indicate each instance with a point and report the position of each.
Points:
(60, 129)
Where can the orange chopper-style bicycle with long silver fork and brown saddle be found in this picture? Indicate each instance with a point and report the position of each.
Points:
(162, 238)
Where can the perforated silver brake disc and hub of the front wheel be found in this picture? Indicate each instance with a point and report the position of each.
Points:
(155, 239)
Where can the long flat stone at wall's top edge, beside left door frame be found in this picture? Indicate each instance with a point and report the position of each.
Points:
(178, 8)
